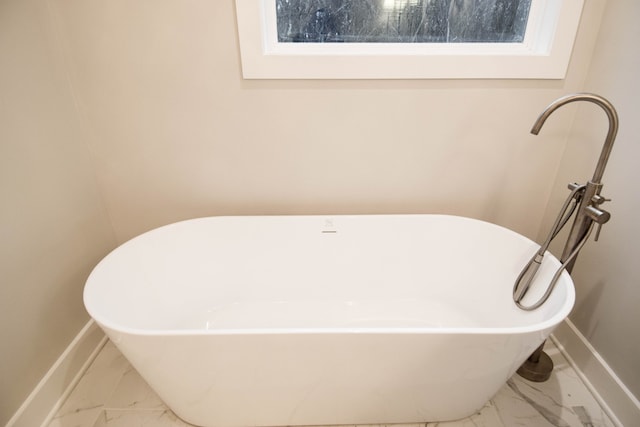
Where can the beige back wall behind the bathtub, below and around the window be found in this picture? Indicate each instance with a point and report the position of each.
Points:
(179, 133)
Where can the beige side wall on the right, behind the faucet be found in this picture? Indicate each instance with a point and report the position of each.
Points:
(607, 275)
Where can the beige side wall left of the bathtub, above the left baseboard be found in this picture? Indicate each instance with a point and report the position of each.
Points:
(53, 224)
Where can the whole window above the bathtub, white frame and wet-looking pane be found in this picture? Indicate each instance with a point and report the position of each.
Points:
(414, 39)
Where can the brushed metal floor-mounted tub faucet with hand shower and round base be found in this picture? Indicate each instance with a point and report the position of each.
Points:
(538, 366)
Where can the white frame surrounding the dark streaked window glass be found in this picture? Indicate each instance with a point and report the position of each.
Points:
(544, 53)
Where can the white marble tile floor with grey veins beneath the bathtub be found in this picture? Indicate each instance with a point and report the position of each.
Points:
(112, 394)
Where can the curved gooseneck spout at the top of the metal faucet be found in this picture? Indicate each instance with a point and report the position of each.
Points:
(613, 125)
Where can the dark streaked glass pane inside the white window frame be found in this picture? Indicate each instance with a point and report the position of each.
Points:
(402, 21)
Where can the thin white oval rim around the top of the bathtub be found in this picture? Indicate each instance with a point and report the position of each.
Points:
(565, 283)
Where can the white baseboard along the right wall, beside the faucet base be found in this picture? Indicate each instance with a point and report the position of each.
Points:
(615, 398)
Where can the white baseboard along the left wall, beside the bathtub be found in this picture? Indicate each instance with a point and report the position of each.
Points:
(45, 400)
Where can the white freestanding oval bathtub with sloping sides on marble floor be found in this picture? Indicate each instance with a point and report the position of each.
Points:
(309, 320)
